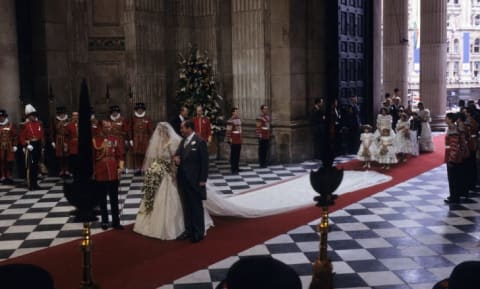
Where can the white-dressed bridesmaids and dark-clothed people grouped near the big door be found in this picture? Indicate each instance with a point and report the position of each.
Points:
(399, 132)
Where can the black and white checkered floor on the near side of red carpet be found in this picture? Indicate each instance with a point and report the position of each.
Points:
(404, 237)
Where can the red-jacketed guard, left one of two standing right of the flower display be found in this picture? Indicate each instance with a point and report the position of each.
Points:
(234, 138)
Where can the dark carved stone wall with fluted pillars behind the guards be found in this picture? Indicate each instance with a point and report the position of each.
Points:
(263, 52)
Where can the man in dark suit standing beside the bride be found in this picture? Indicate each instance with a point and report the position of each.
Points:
(192, 161)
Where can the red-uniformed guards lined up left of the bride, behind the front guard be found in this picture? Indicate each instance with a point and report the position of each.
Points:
(133, 134)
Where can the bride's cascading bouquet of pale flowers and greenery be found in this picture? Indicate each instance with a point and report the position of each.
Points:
(153, 178)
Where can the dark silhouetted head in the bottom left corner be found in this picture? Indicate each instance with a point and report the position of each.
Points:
(25, 276)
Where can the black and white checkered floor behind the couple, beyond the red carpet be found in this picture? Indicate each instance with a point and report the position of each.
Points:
(33, 220)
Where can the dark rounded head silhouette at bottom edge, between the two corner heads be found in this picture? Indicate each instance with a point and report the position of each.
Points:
(260, 272)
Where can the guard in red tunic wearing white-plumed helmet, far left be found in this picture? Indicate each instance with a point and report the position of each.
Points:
(32, 138)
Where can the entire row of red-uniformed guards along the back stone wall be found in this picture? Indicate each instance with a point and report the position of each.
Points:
(134, 135)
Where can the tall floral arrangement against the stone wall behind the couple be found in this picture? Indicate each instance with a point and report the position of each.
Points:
(196, 85)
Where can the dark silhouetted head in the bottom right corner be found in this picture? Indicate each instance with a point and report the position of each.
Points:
(464, 276)
